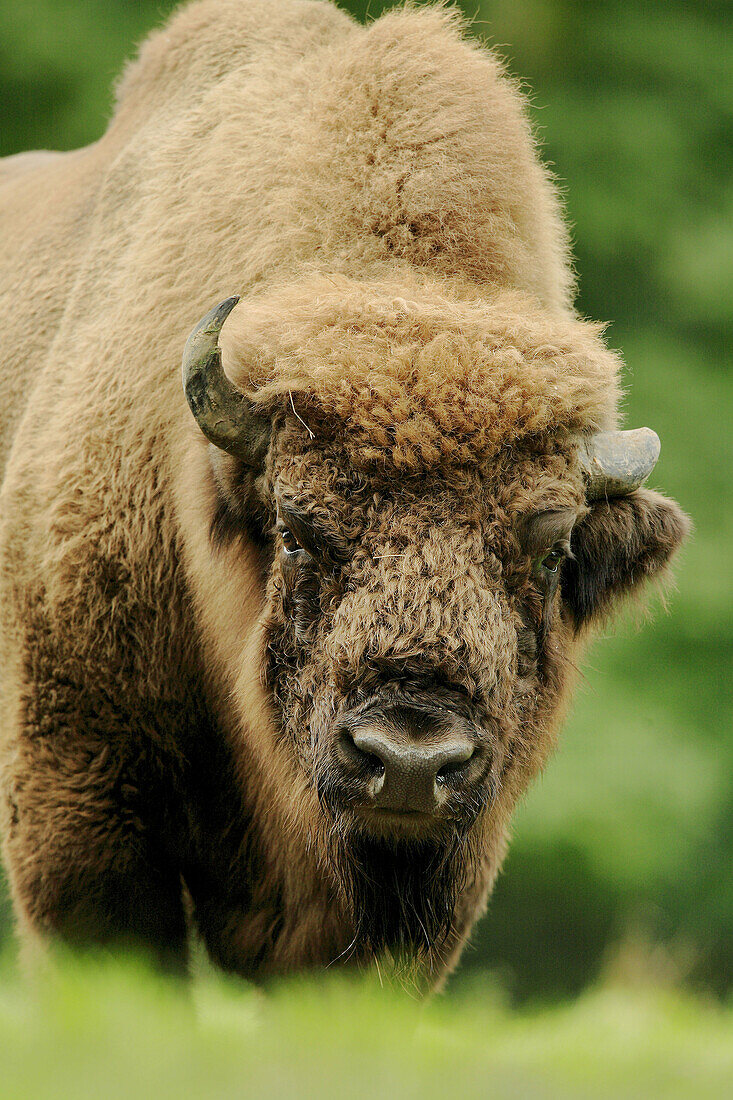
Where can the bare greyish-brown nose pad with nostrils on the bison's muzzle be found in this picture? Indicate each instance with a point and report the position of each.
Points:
(410, 774)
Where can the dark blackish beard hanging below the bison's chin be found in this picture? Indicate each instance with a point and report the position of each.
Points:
(402, 894)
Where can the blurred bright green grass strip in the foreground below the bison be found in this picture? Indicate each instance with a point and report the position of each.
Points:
(117, 1030)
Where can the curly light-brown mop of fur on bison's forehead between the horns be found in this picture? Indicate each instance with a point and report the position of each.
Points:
(419, 379)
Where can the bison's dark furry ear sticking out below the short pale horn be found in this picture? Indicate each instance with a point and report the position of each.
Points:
(618, 546)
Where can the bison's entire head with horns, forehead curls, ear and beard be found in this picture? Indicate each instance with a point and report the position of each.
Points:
(442, 504)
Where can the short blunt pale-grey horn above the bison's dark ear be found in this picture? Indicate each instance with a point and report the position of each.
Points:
(618, 463)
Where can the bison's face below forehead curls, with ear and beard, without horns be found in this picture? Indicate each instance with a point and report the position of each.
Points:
(422, 632)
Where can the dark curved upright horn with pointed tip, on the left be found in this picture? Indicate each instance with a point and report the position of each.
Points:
(223, 412)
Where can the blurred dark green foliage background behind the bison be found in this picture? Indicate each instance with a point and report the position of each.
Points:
(622, 854)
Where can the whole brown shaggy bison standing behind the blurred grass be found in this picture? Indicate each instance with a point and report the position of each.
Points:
(279, 672)
